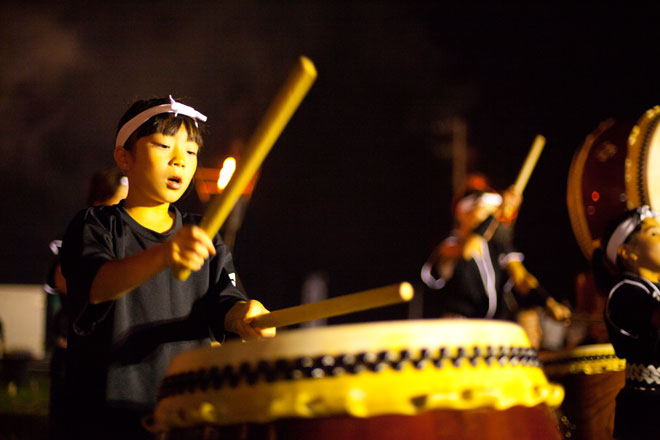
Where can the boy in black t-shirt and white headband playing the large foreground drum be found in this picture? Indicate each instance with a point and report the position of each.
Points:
(130, 315)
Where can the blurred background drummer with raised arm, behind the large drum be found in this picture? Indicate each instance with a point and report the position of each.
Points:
(476, 269)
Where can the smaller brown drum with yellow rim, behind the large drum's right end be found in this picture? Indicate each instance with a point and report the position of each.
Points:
(592, 376)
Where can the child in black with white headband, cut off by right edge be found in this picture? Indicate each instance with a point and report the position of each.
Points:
(628, 263)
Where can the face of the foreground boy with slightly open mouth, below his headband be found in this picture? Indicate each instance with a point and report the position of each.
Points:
(160, 167)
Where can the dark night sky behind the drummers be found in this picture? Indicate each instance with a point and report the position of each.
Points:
(354, 186)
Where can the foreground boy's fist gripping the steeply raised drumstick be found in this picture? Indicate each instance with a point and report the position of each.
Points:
(189, 248)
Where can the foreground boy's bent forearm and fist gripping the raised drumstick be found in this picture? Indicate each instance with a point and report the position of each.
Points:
(187, 249)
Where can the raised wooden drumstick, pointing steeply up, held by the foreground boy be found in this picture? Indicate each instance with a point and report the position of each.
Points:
(271, 125)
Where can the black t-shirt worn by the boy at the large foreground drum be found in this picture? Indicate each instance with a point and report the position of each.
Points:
(119, 351)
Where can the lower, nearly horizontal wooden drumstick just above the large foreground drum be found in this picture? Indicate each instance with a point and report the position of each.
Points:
(340, 305)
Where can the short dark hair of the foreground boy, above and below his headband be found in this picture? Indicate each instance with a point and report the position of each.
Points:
(164, 123)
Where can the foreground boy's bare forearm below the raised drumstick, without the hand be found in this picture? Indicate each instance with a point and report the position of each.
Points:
(118, 277)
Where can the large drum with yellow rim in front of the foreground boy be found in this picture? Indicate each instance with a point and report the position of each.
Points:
(377, 380)
